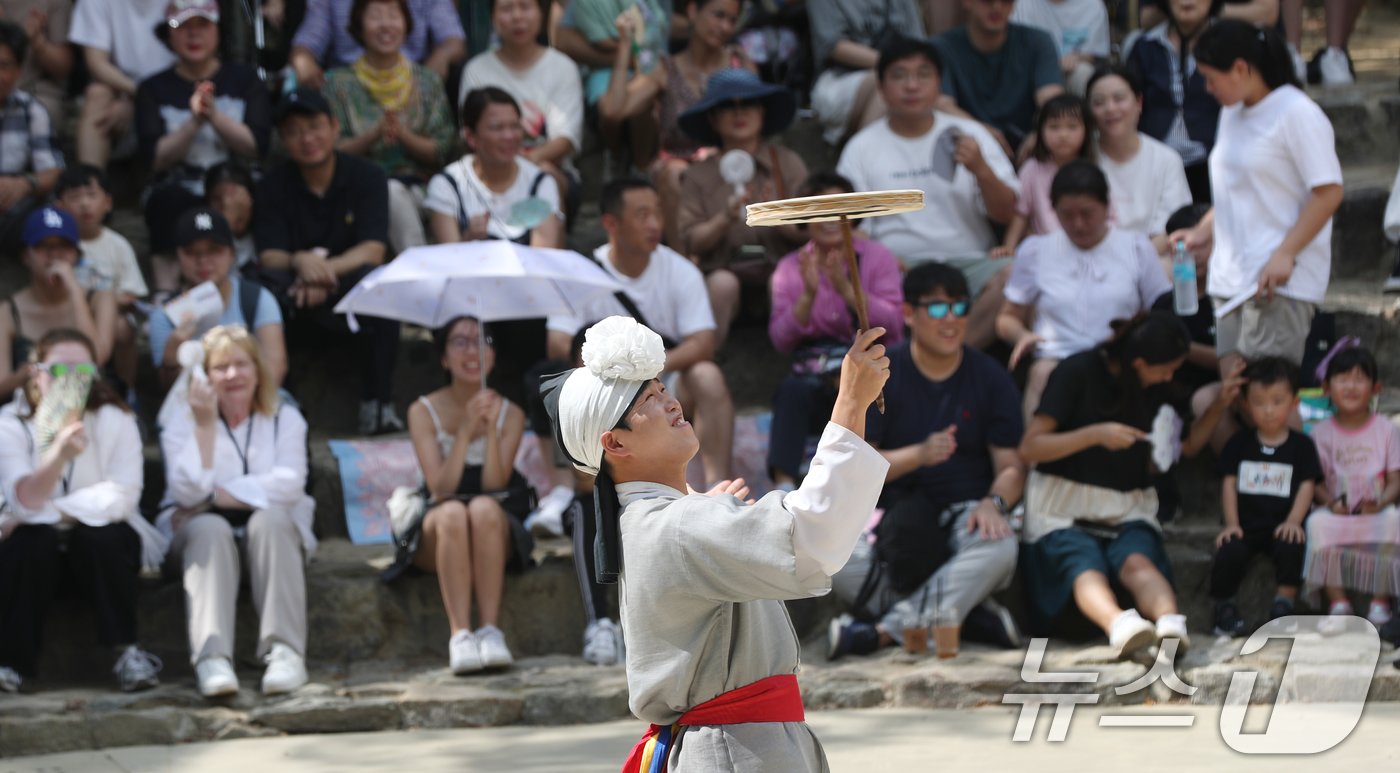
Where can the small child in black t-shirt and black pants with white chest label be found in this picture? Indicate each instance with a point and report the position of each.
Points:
(1268, 489)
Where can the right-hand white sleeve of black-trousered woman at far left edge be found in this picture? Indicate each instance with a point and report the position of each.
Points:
(118, 443)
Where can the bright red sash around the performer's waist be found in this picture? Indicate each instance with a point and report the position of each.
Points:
(775, 699)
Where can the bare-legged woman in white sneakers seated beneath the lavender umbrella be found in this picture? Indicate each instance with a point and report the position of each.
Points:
(465, 438)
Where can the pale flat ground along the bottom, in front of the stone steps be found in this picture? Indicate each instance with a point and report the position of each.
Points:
(864, 741)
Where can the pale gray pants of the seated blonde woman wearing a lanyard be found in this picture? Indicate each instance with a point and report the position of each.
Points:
(208, 552)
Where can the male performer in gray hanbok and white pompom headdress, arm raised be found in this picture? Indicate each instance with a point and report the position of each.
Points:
(712, 656)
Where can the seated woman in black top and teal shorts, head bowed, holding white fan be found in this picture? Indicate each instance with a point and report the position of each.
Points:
(1091, 523)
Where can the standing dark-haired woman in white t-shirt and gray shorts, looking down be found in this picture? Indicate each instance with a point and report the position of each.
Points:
(1276, 183)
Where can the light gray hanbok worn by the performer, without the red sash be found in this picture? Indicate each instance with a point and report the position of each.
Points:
(702, 587)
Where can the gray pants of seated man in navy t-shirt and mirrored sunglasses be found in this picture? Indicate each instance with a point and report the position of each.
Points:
(978, 569)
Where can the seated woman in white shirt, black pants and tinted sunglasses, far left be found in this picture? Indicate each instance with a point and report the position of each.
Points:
(72, 519)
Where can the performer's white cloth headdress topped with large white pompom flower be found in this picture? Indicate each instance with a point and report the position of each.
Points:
(619, 358)
